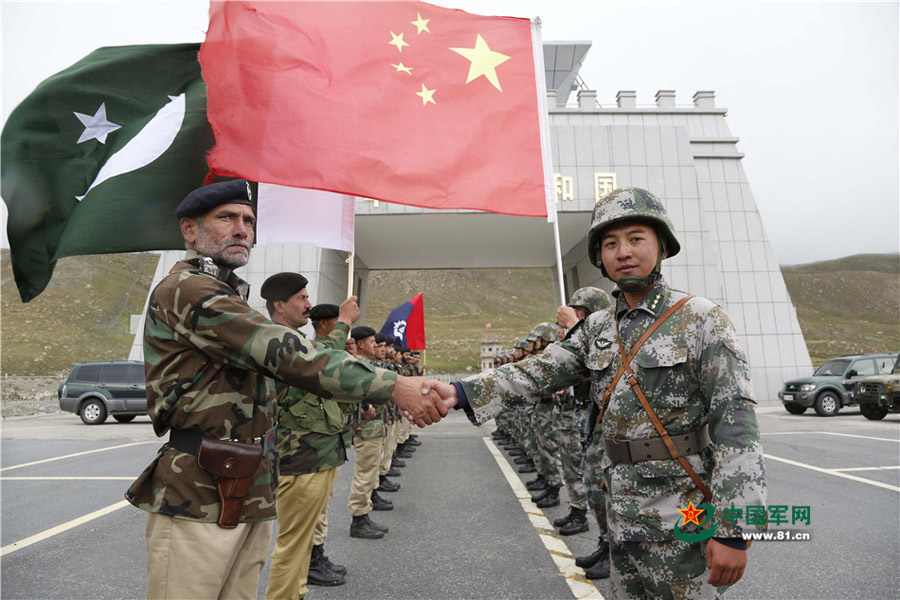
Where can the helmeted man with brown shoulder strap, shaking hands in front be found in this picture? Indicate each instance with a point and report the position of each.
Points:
(676, 410)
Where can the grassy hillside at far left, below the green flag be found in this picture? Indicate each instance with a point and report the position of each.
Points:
(84, 314)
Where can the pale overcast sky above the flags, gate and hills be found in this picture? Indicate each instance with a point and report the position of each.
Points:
(811, 88)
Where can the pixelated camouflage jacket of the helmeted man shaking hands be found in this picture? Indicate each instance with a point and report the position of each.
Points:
(693, 373)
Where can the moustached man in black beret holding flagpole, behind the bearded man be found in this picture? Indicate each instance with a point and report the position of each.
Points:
(309, 444)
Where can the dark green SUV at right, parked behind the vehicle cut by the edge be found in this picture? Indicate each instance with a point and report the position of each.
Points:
(833, 385)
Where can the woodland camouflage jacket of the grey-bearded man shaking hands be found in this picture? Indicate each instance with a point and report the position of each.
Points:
(209, 357)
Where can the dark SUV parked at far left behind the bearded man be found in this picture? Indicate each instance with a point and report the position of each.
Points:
(94, 390)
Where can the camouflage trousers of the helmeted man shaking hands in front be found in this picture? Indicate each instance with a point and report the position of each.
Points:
(670, 570)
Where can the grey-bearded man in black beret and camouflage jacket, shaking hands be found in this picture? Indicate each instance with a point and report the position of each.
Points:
(209, 357)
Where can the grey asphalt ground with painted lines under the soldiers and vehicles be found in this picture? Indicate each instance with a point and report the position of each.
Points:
(458, 529)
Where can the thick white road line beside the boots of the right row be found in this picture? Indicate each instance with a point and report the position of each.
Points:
(581, 587)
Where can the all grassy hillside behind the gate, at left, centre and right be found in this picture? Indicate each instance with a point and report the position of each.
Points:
(844, 306)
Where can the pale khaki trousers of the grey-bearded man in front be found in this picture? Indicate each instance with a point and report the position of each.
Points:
(194, 560)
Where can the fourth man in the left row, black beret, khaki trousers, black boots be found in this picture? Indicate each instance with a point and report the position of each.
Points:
(368, 443)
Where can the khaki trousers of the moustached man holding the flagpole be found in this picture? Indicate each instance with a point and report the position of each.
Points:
(299, 502)
